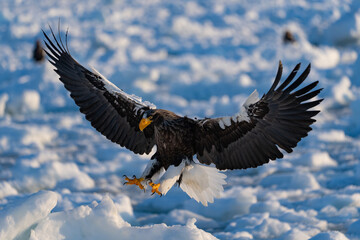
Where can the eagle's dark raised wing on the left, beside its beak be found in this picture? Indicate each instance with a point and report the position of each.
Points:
(110, 110)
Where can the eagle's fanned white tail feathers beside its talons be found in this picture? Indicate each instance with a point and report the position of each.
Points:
(202, 183)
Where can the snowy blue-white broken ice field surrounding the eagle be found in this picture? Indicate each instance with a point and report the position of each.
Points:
(60, 179)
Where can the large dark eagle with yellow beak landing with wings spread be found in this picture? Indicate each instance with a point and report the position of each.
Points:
(190, 152)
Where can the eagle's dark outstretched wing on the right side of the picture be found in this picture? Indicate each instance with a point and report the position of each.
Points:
(281, 118)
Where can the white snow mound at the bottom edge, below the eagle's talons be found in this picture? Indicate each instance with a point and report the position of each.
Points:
(103, 221)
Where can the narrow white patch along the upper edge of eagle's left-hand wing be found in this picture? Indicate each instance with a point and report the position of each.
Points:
(112, 88)
